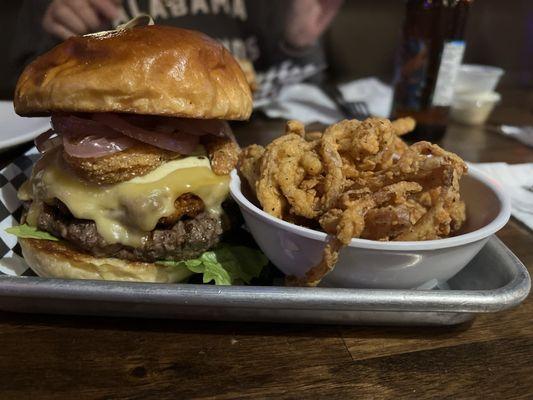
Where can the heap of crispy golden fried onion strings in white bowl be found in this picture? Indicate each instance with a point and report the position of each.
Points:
(357, 179)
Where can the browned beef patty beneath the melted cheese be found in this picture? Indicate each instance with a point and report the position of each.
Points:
(185, 239)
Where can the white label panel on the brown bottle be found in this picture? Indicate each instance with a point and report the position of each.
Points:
(452, 55)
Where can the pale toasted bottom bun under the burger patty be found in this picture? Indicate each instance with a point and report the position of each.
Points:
(52, 259)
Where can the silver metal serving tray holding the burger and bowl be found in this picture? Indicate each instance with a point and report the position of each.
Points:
(495, 280)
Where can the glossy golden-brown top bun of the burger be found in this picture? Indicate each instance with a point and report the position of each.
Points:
(157, 70)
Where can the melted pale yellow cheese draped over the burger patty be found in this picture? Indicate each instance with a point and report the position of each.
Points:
(126, 212)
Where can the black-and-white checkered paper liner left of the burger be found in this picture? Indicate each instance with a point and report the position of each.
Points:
(11, 178)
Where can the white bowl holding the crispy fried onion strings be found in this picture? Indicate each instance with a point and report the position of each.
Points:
(373, 264)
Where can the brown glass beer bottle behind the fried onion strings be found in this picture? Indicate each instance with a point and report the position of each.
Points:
(429, 59)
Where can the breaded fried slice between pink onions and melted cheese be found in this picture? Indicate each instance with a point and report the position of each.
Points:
(121, 166)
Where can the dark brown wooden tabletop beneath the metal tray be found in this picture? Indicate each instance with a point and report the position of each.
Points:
(51, 357)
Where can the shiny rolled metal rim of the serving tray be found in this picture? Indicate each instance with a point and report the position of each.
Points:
(277, 298)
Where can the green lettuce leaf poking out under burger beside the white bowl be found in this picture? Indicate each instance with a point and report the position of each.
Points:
(225, 264)
